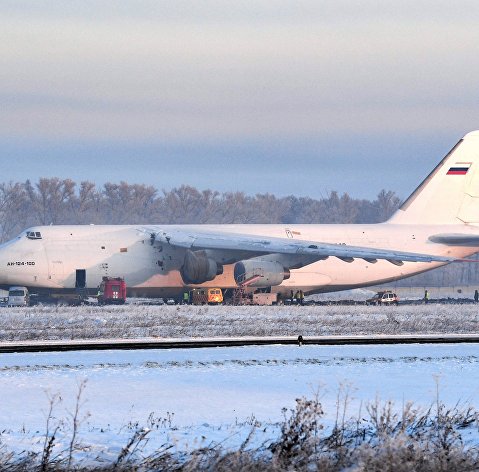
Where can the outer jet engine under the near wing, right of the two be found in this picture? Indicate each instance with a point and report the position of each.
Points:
(269, 273)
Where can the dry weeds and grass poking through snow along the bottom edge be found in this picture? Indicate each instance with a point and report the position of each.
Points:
(382, 439)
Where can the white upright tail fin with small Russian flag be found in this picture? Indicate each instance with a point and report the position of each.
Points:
(450, 193)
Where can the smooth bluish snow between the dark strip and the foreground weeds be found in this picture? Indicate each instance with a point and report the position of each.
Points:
(200, 396)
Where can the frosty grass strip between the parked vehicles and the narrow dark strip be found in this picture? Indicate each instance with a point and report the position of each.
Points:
(49, 323)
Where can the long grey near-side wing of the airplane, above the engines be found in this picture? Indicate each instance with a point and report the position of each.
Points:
(195, 240)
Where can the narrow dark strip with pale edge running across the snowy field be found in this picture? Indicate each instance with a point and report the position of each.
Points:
(192, 343)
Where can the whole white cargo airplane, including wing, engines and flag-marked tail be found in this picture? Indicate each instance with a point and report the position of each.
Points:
(436, 225)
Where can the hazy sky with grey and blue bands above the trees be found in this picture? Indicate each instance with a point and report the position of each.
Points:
(288, 97)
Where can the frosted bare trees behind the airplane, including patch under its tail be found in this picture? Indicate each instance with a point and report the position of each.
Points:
(63, 201)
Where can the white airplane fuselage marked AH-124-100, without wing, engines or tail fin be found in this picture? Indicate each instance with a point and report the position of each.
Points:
(52, 262)
